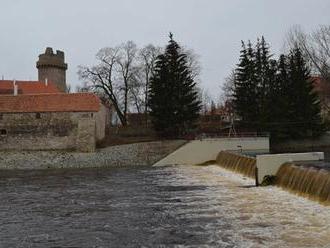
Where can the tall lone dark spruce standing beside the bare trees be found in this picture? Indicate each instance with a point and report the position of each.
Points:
(173, 97)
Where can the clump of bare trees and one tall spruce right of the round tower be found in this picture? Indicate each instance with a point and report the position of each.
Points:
(156, 82)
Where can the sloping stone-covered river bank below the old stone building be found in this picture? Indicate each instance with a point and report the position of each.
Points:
(139, 154)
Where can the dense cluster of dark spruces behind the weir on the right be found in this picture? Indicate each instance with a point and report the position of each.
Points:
(275, 96)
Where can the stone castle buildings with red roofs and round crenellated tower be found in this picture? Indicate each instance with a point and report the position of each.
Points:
(40, 115)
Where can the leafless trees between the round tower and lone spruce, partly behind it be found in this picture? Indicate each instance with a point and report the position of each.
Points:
(122, 76)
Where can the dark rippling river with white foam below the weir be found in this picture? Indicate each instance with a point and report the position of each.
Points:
(182, 206)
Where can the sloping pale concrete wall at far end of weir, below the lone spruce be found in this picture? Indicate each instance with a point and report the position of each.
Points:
(201, 151)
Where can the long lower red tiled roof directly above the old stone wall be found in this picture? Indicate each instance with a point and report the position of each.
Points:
(78, 102)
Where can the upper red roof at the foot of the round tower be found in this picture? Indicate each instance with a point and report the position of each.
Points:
(27, 87)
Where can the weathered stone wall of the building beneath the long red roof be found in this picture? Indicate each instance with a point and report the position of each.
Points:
(49, 131)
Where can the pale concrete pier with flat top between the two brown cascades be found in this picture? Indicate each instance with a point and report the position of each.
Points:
(269, 164)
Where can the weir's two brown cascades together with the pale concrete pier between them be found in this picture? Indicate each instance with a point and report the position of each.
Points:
(309, 179)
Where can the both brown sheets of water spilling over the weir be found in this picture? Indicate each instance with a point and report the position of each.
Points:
(308, 179)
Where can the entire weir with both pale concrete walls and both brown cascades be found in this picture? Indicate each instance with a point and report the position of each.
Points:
(306, 178)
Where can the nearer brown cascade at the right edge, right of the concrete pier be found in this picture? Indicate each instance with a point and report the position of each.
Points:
(305, 180)
